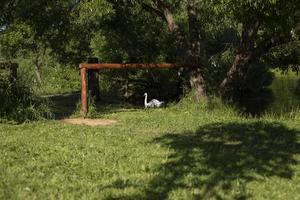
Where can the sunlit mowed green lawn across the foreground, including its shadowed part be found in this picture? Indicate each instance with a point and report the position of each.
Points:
(185, 151)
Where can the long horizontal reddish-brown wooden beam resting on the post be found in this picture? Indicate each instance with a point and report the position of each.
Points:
(131, 65)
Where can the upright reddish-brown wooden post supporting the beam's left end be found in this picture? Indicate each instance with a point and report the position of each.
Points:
(84, 106)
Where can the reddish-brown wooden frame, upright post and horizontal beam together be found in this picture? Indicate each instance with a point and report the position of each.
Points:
(85, 67)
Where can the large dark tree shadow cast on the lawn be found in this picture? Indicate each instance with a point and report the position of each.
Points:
(219, 160)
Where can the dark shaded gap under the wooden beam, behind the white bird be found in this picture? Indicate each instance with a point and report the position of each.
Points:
(129, 85)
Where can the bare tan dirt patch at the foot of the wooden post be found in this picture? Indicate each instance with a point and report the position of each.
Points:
(90, 122)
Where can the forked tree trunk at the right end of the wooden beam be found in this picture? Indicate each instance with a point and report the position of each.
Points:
(188, 53)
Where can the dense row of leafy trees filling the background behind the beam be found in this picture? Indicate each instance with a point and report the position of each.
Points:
(232, 44)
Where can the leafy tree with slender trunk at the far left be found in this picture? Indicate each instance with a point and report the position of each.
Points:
(29, 28)
